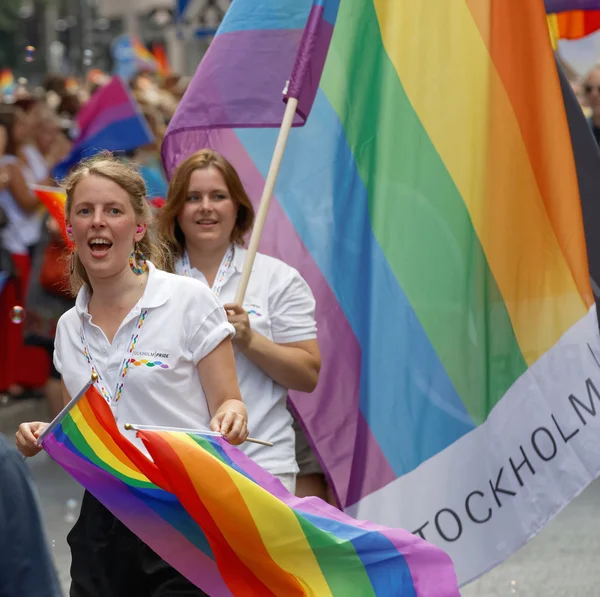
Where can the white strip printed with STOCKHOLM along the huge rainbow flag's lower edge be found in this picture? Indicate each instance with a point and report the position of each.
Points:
(490, 492)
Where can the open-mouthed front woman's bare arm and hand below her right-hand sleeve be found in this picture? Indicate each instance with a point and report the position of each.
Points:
(219, 381)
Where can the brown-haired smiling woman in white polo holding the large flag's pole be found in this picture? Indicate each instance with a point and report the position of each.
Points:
(204, 222)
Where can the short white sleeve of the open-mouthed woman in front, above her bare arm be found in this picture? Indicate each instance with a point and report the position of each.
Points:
(207, 333)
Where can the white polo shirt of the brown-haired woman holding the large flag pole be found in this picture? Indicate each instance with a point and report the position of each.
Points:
(281, 307)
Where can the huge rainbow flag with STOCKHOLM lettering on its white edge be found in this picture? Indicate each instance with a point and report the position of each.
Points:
(433, 201)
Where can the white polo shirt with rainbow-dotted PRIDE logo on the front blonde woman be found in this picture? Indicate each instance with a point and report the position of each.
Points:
(184, 322)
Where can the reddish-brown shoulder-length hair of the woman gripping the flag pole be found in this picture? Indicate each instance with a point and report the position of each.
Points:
(168, 227)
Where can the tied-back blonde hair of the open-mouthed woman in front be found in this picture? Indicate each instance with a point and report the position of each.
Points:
(107, 166)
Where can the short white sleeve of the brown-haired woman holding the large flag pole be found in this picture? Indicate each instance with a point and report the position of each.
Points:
(292, 311)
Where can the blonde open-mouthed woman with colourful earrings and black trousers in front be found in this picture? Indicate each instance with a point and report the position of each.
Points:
(127, 309)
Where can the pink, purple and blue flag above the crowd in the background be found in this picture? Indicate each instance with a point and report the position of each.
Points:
(111, 120)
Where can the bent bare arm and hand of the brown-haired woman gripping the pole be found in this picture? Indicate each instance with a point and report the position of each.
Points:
(293, 365)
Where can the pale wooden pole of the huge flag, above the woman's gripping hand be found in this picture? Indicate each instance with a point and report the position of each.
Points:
(265, 200)
